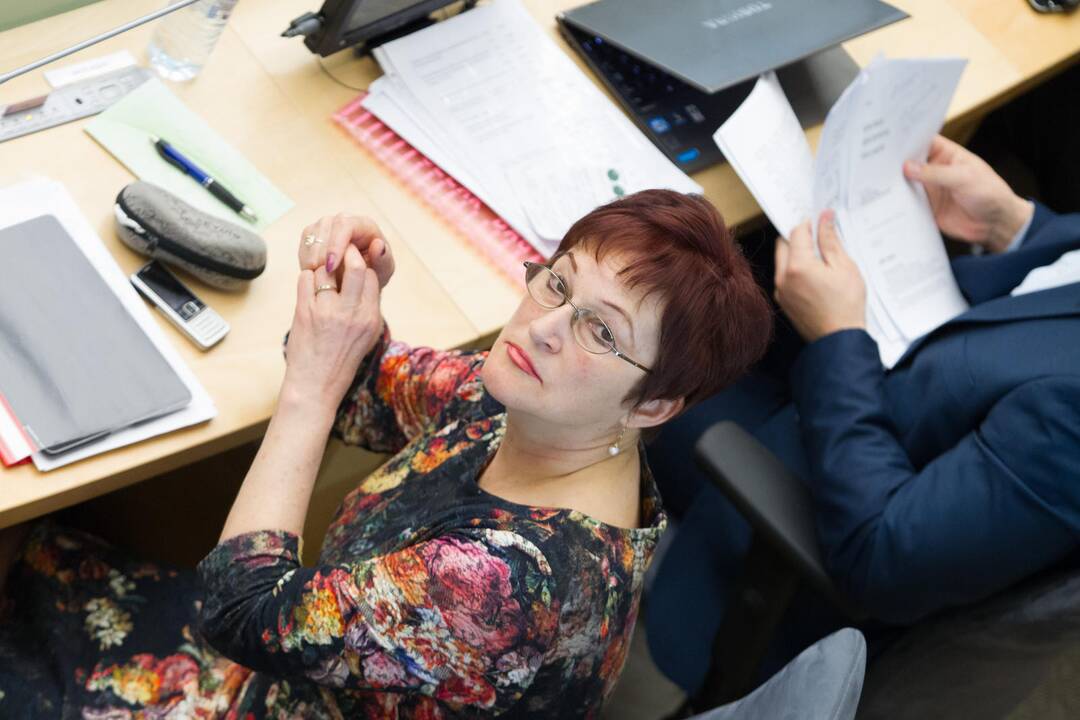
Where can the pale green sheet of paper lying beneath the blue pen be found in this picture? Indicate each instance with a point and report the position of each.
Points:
(125, 130)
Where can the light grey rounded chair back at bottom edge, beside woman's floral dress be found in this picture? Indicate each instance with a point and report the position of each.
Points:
(822, 684)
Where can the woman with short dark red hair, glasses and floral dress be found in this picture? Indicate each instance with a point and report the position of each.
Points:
(493, 566)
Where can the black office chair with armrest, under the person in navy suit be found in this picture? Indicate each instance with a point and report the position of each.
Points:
(1015, 656)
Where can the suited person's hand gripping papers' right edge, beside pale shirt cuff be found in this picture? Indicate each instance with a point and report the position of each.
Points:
(970, 201)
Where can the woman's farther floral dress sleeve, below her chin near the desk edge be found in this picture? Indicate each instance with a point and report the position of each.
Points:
(400, 392)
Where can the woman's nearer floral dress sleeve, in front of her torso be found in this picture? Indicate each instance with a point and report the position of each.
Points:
(465, 619)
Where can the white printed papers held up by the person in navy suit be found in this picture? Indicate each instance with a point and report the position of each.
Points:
(888, 115)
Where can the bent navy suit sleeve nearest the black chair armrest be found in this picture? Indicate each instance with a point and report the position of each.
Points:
(903, 541)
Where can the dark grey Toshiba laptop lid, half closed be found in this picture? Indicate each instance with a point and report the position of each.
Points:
(713, 45)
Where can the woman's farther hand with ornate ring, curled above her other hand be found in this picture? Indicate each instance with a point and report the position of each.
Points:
(325, 243)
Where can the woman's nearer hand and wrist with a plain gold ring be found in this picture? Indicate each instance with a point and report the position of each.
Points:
(333, 331)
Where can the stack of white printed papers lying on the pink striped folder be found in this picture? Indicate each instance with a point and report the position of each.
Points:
(498, 106)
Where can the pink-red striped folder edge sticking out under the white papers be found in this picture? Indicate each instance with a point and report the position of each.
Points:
(455, 203)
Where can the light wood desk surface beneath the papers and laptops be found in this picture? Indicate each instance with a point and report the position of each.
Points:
(268, 97)
